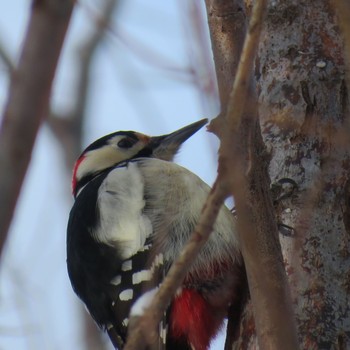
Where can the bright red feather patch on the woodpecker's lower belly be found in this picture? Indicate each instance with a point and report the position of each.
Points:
(194, 319)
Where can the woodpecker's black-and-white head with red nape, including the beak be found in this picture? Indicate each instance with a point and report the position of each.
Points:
(120, 146)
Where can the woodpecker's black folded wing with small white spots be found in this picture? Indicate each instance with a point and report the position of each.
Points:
(106, 284)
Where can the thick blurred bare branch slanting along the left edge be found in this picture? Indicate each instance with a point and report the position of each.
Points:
(29, 99)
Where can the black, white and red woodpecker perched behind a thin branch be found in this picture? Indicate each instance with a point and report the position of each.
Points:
(134, 210)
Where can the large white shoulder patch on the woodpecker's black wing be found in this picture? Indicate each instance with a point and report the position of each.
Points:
(120, 203)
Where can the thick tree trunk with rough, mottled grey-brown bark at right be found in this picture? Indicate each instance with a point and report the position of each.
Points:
(304, 116)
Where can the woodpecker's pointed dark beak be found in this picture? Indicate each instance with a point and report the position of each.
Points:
(166, 146)
